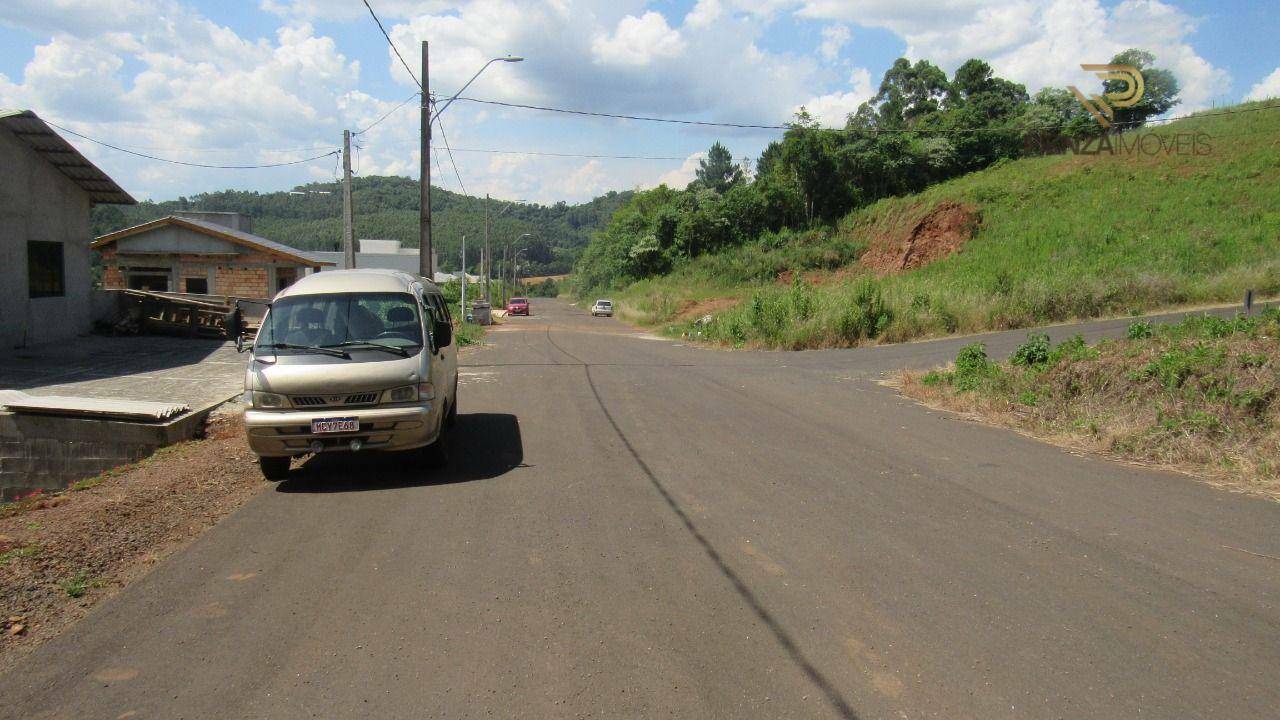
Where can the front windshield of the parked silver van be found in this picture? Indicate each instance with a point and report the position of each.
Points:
(342, 320)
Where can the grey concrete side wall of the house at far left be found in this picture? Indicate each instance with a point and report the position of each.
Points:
(40, 203)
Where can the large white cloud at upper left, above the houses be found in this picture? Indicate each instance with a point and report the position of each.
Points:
(173, 84)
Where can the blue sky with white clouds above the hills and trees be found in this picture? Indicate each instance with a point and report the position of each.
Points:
(252, 83)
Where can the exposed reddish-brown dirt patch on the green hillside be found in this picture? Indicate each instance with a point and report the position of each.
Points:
(904, 244)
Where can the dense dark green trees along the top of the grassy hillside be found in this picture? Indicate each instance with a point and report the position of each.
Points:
(920, 130)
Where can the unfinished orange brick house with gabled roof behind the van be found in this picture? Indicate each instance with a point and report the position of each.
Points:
(202, 254)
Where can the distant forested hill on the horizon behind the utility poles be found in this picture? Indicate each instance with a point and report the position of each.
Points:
(388, 208)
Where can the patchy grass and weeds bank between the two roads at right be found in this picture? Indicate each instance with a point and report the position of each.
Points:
(1201, 395)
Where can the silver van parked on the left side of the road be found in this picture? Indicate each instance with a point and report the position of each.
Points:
(351, 361)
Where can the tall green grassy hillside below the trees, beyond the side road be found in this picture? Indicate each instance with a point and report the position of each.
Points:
(1053, 239)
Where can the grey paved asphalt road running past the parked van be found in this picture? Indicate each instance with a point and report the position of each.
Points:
(632, 528)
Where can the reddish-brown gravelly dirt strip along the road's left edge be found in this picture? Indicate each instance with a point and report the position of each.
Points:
(61, 554)
